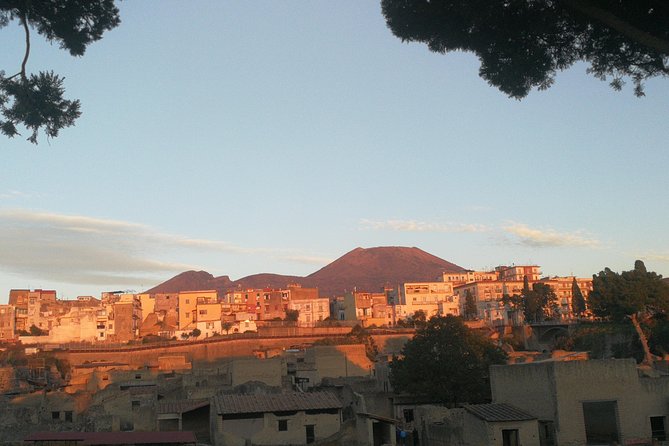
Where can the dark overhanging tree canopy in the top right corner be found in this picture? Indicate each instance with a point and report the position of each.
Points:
(521, 44)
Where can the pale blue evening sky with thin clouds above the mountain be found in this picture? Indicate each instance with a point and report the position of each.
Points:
(247, 137)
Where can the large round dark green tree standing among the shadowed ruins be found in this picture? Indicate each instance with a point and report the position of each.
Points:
(447, 362)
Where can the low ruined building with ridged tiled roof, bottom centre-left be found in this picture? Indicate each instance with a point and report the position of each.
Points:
(283, 418)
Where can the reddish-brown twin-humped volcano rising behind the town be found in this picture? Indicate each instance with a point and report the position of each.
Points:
(363, 269)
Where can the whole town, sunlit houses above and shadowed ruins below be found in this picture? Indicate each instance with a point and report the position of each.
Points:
(288, 366)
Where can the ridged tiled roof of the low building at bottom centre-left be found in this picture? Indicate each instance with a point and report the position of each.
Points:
(278, 402)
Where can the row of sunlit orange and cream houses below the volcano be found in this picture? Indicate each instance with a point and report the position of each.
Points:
(37, 316)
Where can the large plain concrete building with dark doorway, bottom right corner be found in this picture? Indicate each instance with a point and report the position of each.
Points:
(588, 402)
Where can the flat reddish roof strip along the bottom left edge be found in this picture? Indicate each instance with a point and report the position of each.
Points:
(116, 438)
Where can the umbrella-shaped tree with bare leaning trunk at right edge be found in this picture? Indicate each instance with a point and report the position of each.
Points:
(637, 295)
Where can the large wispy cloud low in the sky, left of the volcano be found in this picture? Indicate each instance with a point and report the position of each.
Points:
(86, 250)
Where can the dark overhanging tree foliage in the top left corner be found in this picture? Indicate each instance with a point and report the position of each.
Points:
(35, 101)
